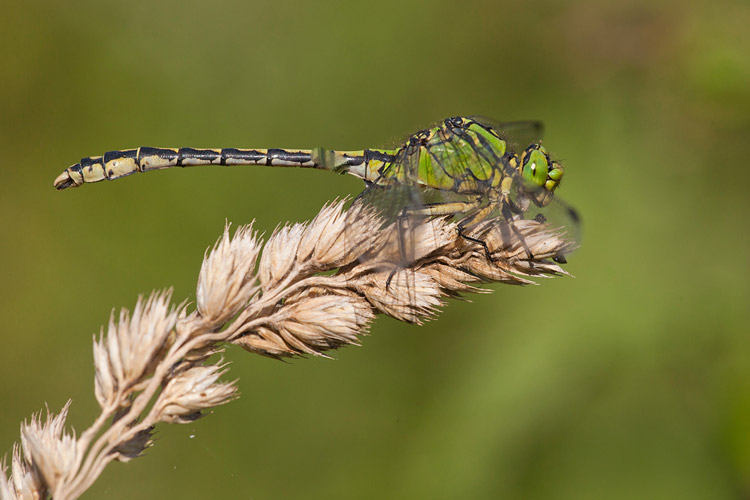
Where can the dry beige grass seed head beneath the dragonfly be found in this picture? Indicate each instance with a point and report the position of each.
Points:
(317, 286)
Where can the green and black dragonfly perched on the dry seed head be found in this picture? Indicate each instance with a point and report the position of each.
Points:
(469, 168)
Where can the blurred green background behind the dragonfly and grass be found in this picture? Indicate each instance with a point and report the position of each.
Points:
(635, 383)
